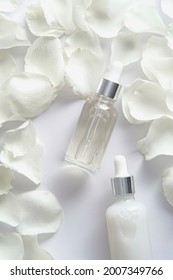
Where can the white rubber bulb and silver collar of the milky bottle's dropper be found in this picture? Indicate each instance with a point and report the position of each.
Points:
(122, 183)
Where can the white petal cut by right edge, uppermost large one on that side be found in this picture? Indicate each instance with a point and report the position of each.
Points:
(157, 62)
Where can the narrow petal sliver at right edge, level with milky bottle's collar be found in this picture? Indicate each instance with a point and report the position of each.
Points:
(167, 183)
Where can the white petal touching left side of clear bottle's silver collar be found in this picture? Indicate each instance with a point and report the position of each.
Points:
(83, 71)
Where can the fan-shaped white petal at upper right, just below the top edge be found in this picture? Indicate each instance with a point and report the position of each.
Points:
(143, 17)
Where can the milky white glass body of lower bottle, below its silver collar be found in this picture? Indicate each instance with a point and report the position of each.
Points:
(128, 230)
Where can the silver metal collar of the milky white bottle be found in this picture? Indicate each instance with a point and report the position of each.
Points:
(122, 185)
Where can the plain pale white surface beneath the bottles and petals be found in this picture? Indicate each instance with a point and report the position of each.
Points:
(85, 197)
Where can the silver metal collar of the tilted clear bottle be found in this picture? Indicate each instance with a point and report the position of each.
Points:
(108, 88)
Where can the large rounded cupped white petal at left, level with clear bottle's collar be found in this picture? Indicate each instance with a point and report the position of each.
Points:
(29, 94)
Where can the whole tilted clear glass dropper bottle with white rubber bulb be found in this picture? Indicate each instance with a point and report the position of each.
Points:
(96, 123)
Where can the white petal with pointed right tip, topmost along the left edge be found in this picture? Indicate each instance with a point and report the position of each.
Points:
(12, 34)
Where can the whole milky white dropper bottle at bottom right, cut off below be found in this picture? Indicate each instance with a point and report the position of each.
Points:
(127, 219)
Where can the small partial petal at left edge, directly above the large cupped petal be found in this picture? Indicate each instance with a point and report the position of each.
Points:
(7, 66)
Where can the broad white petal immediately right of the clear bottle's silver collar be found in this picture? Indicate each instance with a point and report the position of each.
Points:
(145, 101)
